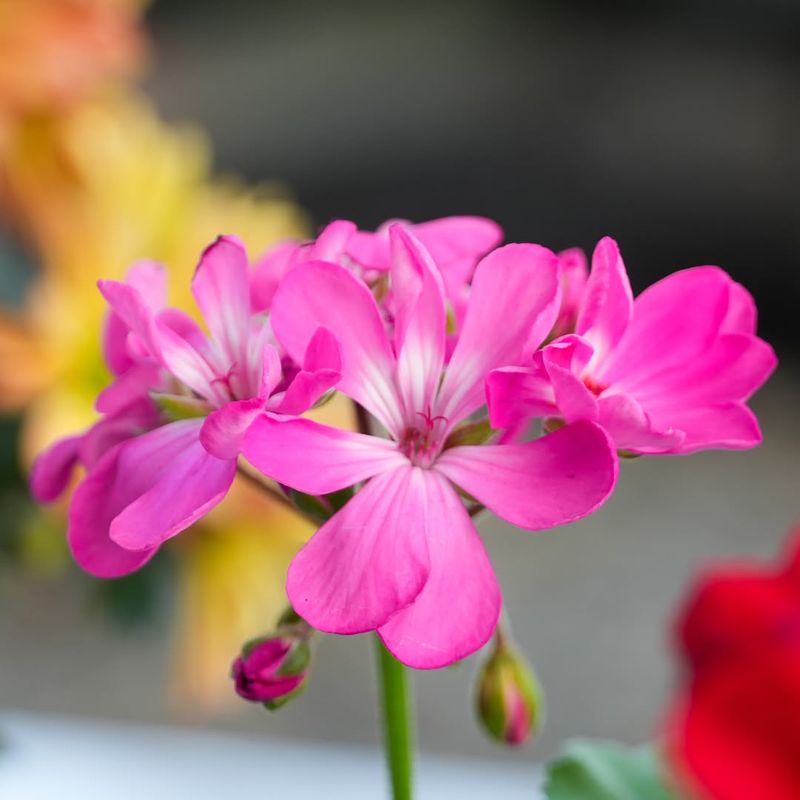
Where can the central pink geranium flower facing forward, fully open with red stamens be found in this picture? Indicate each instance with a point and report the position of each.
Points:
(403, 556)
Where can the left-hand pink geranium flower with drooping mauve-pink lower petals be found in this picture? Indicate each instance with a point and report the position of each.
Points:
(165, 452)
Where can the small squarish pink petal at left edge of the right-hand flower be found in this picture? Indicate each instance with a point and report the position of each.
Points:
(515, 394)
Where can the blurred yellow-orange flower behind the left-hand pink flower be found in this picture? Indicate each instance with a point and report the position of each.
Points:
(94, 190)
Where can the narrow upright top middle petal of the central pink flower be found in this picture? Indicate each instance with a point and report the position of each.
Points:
(419, 322)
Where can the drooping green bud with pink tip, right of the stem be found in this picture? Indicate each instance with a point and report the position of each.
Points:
(509, 698)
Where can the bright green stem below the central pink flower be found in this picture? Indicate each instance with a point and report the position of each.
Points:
(397, 723)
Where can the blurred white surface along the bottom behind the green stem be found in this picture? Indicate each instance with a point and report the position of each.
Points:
(60, 758)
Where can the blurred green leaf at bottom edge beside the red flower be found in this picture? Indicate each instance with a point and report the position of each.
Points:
(605, 771)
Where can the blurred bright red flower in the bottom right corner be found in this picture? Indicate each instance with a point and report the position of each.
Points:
(735, 732)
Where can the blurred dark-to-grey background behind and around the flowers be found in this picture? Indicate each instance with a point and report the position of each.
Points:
(672, 126)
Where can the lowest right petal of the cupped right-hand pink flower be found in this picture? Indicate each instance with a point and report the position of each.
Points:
(728, 426)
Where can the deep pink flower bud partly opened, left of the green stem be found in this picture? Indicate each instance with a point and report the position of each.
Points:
(273, 669)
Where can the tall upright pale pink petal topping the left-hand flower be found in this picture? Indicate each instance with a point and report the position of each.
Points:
(221, 287)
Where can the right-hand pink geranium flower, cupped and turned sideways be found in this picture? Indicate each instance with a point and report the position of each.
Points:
(667, 373)
